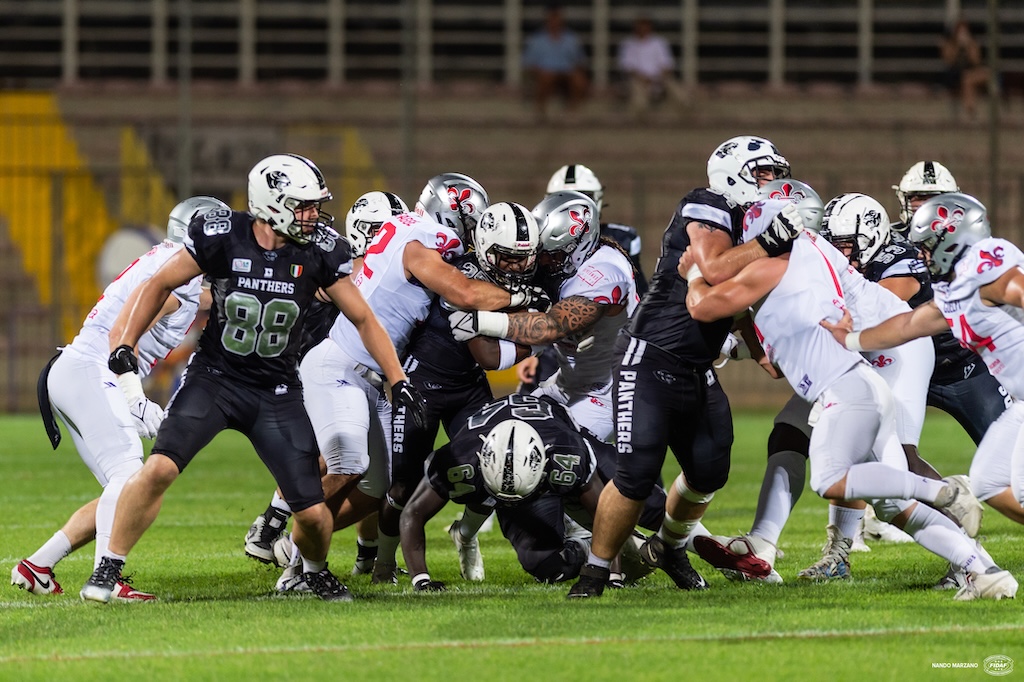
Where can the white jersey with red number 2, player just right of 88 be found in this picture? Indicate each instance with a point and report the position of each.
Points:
(399, 304)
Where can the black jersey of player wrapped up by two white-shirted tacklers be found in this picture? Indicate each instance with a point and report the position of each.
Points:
(433, 344)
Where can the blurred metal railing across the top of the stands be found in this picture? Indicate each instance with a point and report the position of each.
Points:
(46, 42)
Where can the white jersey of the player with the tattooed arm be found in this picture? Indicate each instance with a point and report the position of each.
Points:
(606, 278)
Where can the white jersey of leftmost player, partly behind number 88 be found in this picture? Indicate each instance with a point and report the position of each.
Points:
(167, 334)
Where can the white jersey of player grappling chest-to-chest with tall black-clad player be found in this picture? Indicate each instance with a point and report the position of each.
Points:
(788, 322)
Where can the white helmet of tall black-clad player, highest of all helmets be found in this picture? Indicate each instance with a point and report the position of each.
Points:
(732, 168)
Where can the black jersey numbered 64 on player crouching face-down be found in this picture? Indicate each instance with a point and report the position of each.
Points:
(454, 471)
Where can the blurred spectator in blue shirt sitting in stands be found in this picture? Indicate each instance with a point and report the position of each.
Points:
(556, 60)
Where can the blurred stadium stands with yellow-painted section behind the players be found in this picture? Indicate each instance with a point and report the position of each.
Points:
(112, 111)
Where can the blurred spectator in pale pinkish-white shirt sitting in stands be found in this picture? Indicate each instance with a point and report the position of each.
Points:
(647, 60)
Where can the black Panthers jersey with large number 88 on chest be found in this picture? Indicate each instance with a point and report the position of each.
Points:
(261, 297)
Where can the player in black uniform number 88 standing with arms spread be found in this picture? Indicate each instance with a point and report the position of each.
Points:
(266, 267)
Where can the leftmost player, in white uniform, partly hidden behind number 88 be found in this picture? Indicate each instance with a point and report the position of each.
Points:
(106, 429)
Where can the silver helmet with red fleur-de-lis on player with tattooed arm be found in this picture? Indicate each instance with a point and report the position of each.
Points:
(570, 233)
